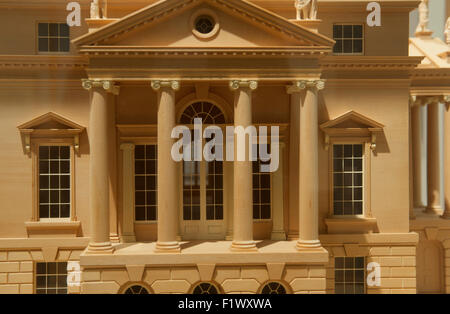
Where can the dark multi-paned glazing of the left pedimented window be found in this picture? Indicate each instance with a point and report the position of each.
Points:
(54, 181)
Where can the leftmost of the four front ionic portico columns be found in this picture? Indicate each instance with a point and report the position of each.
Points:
(99, 127)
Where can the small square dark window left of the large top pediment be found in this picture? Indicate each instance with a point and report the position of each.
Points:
(53, 37)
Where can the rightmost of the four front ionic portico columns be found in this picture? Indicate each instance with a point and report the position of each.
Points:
(309, 165)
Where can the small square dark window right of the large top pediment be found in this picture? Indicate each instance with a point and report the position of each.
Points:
(349, 39)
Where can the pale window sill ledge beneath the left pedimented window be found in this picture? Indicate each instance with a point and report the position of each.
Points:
(48, 229)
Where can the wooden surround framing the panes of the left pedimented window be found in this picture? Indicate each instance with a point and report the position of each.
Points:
(35, 169)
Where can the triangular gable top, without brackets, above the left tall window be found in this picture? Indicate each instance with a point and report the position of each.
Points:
(51, 121)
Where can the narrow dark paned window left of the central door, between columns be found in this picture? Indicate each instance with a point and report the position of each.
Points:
(145, 182)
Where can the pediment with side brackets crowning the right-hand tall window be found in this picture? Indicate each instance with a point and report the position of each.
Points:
(352, 124)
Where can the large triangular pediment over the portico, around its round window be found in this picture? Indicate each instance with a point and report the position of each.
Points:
(168, 23)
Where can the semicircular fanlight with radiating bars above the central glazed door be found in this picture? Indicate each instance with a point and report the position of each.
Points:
(208, 112)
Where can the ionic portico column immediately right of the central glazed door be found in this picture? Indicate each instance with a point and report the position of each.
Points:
(243, 181)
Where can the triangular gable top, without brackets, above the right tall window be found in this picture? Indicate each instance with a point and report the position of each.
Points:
(352, 120)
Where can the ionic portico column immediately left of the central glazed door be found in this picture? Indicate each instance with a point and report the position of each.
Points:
(167, 169)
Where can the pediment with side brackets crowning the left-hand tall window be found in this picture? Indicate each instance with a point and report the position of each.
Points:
(50, 125)
